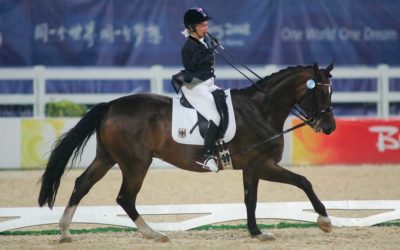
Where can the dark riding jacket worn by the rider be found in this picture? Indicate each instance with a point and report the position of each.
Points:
(197, 60)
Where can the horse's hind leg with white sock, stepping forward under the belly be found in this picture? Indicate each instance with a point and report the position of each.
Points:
(131, 184)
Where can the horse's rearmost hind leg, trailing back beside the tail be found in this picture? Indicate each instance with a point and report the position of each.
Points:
(96, 170)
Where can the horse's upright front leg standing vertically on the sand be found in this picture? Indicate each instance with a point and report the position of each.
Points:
(250, 184)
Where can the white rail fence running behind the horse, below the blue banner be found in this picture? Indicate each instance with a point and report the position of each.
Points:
(157, 75)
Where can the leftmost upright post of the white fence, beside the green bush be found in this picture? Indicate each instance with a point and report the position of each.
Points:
(39, 83)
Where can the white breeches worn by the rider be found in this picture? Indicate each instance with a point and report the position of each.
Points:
(200, 97)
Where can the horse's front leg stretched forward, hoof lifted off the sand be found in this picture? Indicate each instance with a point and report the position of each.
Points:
(274, 172)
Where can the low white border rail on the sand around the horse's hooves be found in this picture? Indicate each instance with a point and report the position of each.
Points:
(208, 214)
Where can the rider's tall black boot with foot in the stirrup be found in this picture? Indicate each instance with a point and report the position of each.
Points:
(209, 144)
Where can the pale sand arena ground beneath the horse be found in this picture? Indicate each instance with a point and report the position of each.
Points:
(170, 186)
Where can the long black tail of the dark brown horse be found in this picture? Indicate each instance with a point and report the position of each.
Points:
(72, 141)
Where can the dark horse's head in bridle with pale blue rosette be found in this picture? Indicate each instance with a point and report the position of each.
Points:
(316, 100)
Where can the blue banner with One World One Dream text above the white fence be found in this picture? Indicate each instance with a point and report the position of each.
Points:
(142, 33)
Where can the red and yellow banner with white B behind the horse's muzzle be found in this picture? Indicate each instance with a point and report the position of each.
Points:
(354, 141)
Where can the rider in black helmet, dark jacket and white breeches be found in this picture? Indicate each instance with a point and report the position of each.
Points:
(198, 60)
